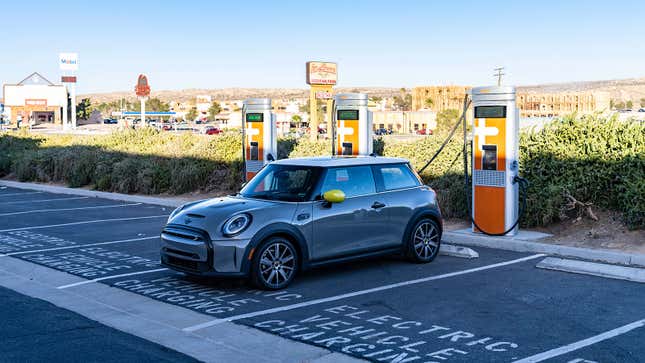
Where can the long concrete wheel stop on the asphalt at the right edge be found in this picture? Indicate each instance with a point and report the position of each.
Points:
(593, 268)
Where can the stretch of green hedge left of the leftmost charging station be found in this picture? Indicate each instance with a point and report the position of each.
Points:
(142, 161)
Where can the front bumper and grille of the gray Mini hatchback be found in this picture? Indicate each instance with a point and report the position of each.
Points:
(191, 250)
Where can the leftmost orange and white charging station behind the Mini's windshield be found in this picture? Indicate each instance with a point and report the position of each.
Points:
(260, 135)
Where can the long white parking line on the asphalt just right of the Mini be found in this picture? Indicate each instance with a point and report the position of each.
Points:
(356, 293)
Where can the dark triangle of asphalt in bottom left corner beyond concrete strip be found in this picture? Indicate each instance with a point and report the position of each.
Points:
(37, 331)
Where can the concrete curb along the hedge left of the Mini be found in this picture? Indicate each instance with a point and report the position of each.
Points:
(167, 202)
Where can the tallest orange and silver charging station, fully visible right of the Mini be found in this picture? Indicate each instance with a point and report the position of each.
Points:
(495, 179)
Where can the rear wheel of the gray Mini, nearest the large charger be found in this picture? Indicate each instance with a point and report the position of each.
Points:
(424, 241)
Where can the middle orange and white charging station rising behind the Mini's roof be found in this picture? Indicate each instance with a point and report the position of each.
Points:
(352, 125)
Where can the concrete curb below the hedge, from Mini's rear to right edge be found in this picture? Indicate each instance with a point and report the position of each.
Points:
(514, 244)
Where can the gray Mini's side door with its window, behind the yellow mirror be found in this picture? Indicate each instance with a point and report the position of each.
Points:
(356, 225)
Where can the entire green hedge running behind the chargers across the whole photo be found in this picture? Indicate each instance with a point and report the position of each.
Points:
(594, 159)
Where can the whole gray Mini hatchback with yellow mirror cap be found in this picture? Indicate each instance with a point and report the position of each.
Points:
(296, 214)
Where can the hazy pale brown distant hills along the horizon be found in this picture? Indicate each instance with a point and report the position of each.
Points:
(623, 89)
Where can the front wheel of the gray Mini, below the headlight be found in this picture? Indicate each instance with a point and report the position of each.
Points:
(275, 264)
